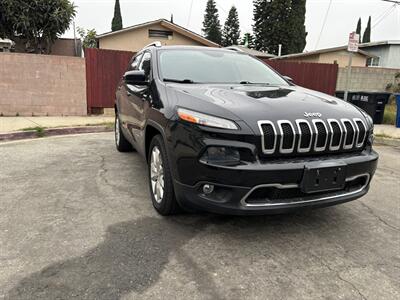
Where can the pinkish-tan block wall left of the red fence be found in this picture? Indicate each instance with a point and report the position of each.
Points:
(42, 85)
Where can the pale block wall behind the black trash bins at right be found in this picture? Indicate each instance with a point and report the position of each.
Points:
(366, 78)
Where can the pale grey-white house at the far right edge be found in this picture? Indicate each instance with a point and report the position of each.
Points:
(387, 54)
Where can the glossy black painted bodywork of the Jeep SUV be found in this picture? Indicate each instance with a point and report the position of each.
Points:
(145, 110)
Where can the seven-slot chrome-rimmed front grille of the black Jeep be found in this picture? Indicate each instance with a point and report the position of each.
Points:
(312, 136)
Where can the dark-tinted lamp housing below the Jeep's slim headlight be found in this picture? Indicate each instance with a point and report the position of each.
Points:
(221, 156)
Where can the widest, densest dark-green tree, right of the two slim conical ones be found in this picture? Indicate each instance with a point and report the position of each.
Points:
(280, 22)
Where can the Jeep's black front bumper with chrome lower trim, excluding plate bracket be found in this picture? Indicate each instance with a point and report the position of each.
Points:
(261, 187)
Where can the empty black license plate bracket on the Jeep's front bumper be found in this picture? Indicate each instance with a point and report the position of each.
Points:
(323, 177)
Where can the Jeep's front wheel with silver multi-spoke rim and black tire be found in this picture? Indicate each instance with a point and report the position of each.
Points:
(163, 197)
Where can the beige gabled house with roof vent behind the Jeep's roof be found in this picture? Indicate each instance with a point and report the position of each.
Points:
(134, 38)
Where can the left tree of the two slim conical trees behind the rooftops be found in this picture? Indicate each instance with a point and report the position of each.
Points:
(211, 24)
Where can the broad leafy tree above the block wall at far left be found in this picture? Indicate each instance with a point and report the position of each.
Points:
(35, 23)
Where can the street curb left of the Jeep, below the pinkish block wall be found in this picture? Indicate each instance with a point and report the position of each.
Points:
(20, 135)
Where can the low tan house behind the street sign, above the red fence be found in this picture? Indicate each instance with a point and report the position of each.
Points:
(338, 55)
